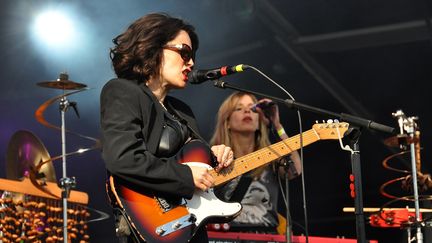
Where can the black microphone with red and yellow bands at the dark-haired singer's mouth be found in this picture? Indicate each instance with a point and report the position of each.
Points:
(199, 76)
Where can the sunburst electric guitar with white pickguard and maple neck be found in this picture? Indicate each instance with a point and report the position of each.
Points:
(157, 219)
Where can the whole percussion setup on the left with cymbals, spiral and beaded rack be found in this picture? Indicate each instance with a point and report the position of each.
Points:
(34, 205)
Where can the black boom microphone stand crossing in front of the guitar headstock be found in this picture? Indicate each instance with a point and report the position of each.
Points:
(355, 155)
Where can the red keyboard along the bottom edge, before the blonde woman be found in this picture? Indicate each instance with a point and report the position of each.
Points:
(236, 237)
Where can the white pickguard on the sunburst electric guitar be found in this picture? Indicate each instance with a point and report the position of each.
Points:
(205, 204)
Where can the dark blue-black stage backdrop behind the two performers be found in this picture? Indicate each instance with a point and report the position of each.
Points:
(366, 58)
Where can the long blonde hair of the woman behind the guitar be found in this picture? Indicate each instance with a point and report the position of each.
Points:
(222, 134)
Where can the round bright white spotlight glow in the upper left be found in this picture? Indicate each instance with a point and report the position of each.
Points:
(54, 28)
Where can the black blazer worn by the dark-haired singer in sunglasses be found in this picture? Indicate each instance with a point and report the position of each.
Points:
(132, 121)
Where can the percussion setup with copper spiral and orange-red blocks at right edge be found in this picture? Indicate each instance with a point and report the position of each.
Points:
(408, 140)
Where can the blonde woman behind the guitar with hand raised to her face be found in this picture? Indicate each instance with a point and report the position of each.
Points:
(243, 126)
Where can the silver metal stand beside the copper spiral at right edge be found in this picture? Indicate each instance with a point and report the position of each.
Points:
(409, 125)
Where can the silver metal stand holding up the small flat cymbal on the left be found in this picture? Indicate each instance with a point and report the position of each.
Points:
(66, 183)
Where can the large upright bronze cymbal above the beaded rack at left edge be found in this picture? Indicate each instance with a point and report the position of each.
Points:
(24, 152)
